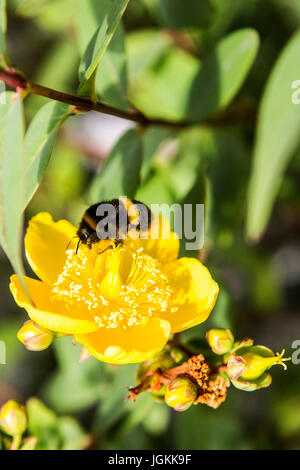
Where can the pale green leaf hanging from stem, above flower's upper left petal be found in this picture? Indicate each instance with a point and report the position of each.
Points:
(39, 141)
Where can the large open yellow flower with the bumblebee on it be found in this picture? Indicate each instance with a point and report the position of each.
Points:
(122, 304)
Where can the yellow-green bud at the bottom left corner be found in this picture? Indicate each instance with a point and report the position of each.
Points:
(13, 418)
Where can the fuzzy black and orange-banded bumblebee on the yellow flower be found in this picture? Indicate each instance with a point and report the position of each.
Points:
(115, 220)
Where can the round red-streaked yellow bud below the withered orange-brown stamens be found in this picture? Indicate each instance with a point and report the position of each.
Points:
(181, 393)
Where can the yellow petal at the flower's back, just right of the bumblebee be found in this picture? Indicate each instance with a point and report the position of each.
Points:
(162, 244)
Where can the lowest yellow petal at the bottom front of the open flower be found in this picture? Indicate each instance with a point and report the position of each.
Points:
(135, 344)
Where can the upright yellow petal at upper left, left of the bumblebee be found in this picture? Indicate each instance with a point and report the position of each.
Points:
(45, 245)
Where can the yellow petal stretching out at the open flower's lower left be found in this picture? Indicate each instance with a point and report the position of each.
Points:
(49, 313)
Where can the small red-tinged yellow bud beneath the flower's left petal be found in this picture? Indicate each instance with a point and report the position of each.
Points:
(34, 337)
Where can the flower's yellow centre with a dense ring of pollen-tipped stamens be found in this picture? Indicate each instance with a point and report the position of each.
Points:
(119, 287)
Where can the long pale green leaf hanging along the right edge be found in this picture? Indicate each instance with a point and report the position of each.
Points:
(277, 138)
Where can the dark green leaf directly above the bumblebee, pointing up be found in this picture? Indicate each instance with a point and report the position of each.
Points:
(120, 175)
